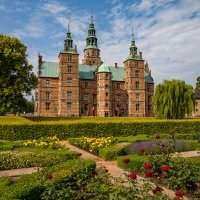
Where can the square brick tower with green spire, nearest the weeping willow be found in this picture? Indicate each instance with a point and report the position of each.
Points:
(135, 82)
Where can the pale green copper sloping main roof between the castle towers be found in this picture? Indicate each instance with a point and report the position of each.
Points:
(50, 69)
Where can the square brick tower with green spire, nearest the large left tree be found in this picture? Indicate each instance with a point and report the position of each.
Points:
(68, 79)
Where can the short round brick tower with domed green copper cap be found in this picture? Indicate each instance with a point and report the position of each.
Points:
(104, 87)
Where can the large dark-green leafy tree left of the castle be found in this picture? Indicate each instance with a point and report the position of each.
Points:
(16, 76)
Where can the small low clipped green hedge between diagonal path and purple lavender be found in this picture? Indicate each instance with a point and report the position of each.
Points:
(111, 152)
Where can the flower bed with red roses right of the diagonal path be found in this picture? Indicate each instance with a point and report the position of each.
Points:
(178, 174)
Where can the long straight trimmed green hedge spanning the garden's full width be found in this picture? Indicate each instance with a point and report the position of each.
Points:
(64, 130)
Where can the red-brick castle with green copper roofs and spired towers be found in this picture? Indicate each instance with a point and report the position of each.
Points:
(93, 88)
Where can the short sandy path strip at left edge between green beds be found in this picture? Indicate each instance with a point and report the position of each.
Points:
(18, 172)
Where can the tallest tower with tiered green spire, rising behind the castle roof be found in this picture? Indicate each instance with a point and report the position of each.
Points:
(91, 51)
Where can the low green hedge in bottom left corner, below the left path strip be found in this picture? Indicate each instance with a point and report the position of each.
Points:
(30, 187)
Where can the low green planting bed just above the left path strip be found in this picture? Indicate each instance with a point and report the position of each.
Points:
(27, 157)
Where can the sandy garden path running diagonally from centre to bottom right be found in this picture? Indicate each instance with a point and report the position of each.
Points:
(111, 167)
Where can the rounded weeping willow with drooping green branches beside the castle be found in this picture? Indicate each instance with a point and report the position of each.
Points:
(173, 99)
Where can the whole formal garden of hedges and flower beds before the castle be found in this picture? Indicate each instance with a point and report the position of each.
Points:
(144, 147)
